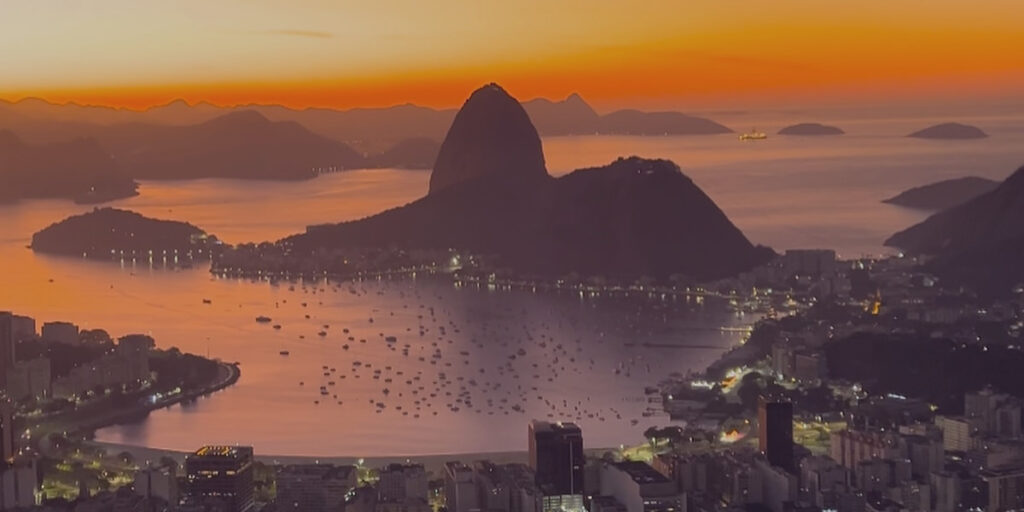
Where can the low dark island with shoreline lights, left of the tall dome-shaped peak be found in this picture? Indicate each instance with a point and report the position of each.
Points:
(107, 233)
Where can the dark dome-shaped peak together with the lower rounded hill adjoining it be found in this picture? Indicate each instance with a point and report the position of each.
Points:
(491, 194)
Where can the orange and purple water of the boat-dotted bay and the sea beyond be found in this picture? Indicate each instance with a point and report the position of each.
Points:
(785, 192)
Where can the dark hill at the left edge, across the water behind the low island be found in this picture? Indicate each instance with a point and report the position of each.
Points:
(77, 169)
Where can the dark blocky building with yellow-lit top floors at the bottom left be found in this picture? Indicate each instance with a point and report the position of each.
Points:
(222, 477)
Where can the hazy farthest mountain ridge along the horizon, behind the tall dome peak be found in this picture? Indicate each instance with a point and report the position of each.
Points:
(370, 130)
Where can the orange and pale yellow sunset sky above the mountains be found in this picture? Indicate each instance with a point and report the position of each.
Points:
(647, 54)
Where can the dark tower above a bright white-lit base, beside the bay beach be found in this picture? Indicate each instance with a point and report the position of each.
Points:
(557, 456)
